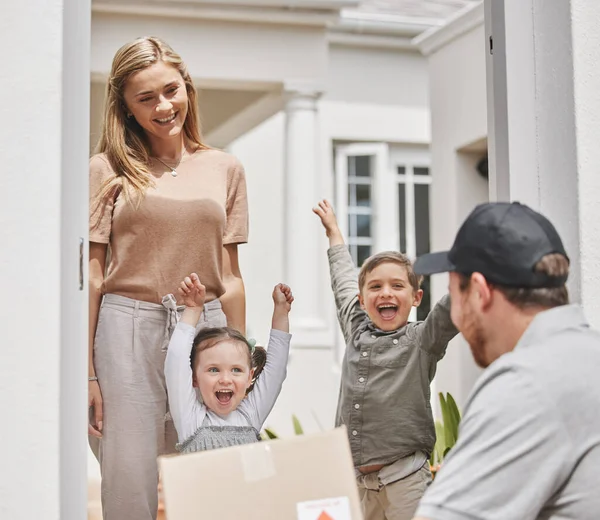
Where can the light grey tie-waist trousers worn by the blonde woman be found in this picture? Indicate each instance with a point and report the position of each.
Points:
(129, 355)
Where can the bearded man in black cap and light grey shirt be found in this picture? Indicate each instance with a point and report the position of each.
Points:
(529, 441)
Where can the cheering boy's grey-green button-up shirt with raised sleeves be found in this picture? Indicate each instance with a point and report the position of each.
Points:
(384, 395)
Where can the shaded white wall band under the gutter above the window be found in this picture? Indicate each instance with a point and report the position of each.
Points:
(377, 76)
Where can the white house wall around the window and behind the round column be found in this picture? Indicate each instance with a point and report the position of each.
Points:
(372, 111)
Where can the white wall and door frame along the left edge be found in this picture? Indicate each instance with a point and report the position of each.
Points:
(43, 310)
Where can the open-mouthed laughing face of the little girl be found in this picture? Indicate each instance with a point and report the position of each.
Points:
(223, 375)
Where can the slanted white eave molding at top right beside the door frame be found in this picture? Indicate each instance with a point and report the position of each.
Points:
(461, 23)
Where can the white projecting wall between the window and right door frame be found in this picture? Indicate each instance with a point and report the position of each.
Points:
(458, 110)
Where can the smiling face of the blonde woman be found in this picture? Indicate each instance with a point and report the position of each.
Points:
(157, 98)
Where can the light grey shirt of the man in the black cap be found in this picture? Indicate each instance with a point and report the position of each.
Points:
(529, 441)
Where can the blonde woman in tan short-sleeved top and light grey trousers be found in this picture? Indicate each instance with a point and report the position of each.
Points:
(167, 205)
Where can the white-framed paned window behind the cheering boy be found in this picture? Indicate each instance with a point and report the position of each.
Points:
(382, 202)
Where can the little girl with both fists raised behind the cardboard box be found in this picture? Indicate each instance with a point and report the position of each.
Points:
(223, 371)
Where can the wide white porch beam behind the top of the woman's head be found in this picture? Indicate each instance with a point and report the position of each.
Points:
(219, 50)
